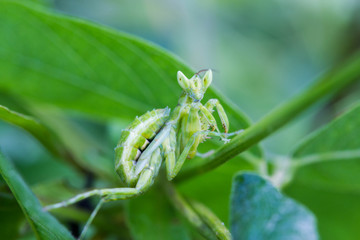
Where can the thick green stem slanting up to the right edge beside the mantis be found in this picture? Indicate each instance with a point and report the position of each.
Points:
(331, 82)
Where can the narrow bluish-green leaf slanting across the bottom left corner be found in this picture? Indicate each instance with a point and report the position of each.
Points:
(44, 225)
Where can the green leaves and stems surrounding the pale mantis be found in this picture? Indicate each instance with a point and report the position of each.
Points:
(69, 86)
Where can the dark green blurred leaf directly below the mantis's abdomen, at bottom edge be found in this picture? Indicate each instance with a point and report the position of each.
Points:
(151, 216)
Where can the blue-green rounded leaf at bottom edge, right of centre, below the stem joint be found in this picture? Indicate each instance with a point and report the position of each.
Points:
(260, 211)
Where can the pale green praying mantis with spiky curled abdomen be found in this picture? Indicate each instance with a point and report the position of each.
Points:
(161, 135)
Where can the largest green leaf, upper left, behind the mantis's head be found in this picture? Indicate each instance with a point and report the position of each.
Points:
(87, 67)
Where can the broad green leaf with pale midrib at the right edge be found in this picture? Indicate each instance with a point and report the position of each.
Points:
(327, 177)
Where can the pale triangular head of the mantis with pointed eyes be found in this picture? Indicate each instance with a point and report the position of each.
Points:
(196, 86)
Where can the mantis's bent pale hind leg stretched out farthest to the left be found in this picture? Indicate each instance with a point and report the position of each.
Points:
(146, 179)
